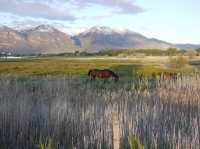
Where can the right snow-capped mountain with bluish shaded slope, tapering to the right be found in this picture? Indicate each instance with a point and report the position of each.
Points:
(98, 38)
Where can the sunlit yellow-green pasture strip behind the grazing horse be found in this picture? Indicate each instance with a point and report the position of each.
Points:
(80, 66)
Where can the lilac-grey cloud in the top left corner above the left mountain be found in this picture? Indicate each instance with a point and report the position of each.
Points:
(35, 9)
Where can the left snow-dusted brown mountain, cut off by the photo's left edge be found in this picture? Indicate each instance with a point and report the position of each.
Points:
(42, 39)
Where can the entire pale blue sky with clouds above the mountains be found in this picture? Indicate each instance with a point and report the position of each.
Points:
(175, 21)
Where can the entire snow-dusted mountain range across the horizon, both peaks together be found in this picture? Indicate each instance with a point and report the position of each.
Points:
(45, 39)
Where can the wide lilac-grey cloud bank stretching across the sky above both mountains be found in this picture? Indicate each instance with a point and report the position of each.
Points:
(65, 10)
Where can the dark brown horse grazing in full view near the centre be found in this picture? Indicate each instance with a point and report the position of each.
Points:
(102, 73)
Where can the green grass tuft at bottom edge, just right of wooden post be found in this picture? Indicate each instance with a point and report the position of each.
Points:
(134, 142)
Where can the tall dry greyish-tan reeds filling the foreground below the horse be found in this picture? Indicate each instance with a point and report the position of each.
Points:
(71, 113)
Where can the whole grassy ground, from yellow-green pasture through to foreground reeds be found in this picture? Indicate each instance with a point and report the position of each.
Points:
(49, 103)
